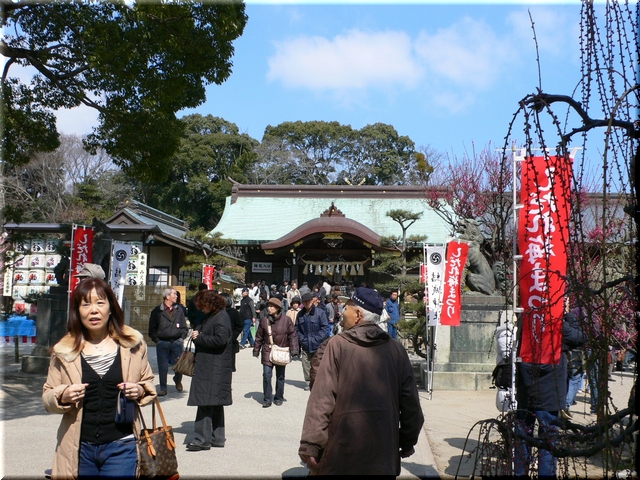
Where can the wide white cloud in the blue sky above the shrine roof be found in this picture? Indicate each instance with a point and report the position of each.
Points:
(451, 65)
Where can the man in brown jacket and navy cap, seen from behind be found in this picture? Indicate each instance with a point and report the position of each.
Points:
(364, 411)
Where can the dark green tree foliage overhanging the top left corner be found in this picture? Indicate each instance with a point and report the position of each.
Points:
(137, 64)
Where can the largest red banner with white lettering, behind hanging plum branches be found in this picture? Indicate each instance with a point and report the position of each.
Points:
(543, 233)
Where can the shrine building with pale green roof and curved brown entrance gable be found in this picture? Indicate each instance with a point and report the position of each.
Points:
(307, 232)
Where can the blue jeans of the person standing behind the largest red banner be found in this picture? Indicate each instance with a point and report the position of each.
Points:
(546, 462)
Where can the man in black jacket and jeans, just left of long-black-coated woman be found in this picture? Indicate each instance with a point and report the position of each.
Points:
(168, 329)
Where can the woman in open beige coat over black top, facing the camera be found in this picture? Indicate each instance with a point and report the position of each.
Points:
(98, 358)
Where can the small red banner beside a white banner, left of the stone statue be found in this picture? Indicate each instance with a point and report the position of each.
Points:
(452, 296)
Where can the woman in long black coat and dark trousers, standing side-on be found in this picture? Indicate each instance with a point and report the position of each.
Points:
(211, 385)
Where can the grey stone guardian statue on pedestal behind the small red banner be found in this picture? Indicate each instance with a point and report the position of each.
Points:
(479, 277)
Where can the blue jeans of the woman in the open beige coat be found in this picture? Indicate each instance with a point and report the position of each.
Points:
(114, 459)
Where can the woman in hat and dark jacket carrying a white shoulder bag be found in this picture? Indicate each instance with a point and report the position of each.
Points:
(284, 335)
